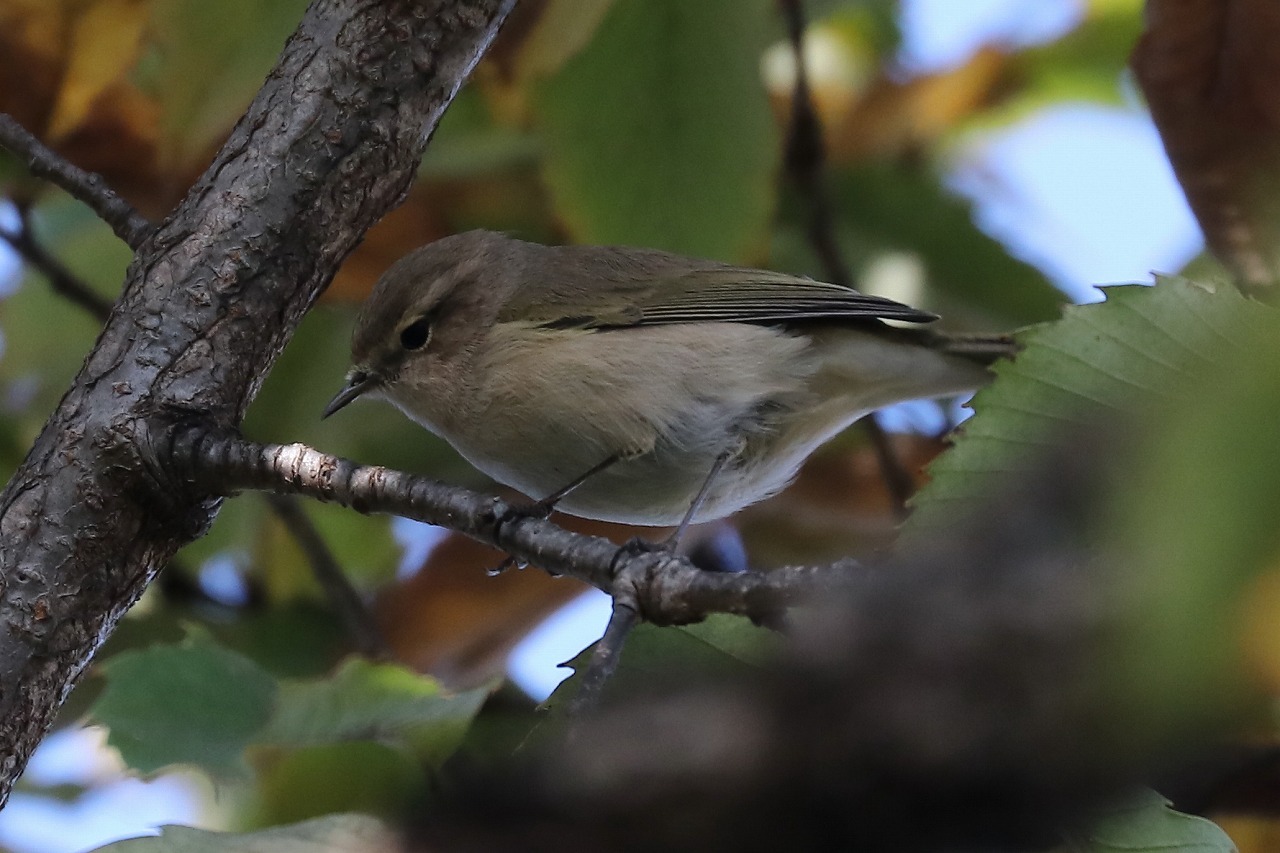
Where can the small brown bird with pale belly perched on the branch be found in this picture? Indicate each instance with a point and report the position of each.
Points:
(632, 385)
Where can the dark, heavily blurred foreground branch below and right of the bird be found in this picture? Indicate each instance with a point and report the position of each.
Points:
(961, 699)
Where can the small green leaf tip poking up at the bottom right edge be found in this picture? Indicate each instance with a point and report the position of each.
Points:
(1148, 824)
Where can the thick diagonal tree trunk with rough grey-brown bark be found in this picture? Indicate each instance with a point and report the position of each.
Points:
(330, 144)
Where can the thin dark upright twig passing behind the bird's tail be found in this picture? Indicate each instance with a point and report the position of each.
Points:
(806, 161)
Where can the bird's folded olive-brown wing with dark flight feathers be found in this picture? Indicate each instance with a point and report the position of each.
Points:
(717, 294)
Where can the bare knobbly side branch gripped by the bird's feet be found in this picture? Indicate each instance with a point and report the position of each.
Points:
(665, 589)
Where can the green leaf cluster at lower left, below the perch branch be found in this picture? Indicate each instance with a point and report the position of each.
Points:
(359, 740)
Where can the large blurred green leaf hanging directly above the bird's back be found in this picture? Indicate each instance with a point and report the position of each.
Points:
(660, 134)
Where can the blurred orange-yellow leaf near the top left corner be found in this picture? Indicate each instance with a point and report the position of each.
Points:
(104, 45)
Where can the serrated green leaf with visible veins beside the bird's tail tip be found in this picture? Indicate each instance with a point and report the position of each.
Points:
(1121, 357)
